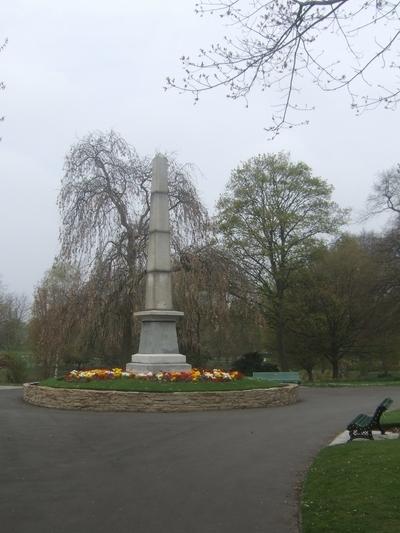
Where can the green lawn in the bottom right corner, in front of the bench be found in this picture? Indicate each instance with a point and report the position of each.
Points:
(353, 488)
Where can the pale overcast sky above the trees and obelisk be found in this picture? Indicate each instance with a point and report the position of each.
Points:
(75, 66)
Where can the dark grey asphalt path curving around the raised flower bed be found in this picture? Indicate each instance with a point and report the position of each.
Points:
(208, 472)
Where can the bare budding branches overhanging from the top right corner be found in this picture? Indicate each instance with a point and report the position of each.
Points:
(278, 44)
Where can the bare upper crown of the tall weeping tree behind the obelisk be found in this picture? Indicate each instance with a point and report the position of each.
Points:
(105, 202)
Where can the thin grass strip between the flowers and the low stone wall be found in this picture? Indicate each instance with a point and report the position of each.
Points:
(150, 386)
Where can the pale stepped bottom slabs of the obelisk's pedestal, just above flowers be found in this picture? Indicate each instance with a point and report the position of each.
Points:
(158, 363)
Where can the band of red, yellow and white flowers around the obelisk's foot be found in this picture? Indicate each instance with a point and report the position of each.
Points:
(195, 375)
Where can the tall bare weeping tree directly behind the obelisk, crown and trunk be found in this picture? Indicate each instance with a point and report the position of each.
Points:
(105, 208)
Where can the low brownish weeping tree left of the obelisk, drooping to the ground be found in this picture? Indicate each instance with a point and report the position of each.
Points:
(80, 322)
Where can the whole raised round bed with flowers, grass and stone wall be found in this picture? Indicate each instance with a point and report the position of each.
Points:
(95, 390)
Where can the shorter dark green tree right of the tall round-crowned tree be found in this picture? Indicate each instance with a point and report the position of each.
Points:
(336, 303)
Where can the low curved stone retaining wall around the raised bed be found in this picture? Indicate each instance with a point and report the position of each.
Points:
(98, 400)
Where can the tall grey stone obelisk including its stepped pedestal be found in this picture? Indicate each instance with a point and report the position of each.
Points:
(158, 348)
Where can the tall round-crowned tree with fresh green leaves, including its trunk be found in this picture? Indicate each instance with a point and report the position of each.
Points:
(272, 216)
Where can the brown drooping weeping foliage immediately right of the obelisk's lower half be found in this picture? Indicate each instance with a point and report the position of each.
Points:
(221, 319)
